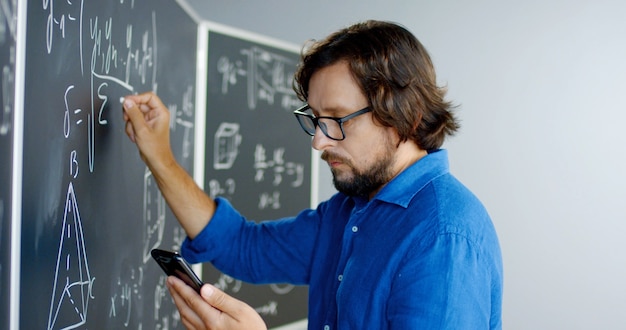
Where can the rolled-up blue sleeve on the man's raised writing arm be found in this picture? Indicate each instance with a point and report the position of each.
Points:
(265, 252)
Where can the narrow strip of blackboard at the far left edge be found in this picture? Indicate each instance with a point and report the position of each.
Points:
(8, 34)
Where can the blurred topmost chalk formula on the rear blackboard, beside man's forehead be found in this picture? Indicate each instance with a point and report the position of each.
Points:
(265, 74)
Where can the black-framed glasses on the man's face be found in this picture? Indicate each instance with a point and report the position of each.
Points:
(332, 127)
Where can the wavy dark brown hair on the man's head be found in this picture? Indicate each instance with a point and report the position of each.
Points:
(396, 74)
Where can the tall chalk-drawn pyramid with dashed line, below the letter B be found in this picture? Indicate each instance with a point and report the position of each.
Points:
(72, 282)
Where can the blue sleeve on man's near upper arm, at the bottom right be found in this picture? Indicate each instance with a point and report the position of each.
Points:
(445, 284)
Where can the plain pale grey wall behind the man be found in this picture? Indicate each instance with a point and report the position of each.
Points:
(541, 87)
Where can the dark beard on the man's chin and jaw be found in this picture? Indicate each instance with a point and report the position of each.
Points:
(365, 182)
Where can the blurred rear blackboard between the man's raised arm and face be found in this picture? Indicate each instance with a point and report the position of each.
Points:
(256, 155)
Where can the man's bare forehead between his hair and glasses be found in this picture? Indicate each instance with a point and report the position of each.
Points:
(333, 91)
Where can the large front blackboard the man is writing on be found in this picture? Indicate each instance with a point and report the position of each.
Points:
(91, 210)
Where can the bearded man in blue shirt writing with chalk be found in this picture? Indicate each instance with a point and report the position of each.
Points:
(402, 245)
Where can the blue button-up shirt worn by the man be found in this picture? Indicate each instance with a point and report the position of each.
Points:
(422, 254)
